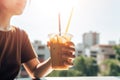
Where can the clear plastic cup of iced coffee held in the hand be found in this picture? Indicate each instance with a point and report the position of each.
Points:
(56, 43)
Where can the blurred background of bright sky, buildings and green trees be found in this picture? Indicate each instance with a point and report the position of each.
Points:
(95, 28)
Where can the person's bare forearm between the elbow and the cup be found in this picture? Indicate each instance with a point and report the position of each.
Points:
(43, 69)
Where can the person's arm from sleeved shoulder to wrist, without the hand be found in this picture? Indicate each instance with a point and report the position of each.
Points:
(30, 61)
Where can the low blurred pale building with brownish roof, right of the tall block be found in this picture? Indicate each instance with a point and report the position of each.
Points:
(102, 53)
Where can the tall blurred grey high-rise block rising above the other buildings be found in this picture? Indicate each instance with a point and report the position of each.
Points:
(90, 39)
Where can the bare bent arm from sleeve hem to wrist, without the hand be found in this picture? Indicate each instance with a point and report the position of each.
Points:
(36, 69)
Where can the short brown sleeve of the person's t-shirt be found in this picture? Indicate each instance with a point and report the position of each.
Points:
(27, 51)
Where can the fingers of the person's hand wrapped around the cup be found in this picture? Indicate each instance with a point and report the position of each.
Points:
(68, 53)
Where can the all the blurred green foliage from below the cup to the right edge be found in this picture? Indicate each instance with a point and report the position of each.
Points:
(87, 66)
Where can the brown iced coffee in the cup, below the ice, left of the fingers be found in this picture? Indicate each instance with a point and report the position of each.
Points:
(56, 57)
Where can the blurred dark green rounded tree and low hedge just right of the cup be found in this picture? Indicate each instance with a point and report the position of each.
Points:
(83, 66)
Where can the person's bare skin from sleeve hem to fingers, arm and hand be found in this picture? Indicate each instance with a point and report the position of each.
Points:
(38, 70)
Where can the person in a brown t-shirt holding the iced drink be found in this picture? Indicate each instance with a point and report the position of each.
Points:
(16, 49)
